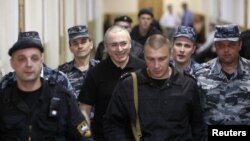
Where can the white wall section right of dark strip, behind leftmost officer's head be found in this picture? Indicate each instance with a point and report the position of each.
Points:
(43, 16)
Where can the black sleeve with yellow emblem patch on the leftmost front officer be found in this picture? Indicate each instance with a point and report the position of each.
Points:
(78, 128)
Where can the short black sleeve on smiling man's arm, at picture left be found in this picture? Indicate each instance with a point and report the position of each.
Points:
(88, 90)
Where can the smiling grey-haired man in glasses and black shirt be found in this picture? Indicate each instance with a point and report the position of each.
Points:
(101, 79)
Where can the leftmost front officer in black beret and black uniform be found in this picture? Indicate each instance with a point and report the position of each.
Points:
(35, 109)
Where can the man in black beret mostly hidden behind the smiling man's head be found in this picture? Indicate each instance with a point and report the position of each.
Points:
(136, 48)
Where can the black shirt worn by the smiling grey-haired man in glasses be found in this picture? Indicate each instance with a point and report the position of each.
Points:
(99, 85)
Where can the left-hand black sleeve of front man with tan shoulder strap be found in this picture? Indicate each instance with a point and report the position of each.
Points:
(116, 119)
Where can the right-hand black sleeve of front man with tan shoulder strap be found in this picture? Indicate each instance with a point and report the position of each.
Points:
(197, 121)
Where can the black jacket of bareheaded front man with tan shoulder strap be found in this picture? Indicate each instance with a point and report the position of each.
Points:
(172, 112)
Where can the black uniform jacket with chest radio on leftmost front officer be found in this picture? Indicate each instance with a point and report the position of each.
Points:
(45, 120)
